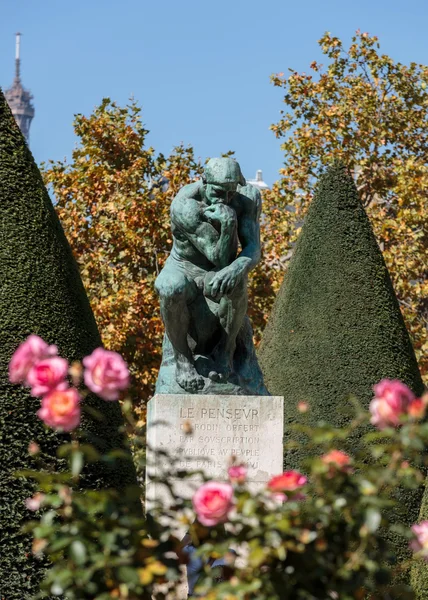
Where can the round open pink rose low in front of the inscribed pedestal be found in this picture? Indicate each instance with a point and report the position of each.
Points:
(212, 502)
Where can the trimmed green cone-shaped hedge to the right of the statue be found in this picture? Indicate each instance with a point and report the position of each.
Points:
(336, 328)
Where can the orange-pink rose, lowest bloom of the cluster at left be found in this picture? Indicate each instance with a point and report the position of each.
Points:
(61, 409)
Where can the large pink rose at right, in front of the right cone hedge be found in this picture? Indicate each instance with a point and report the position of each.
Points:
(391, 401)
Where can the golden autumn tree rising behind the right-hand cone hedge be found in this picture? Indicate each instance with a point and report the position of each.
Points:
(371, 113)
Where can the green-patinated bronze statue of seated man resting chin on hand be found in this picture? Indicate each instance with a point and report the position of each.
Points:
(208, 346)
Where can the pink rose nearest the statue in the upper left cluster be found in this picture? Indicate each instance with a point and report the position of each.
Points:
(106, 373)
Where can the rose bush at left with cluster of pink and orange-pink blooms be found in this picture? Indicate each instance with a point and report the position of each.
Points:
(100, 544)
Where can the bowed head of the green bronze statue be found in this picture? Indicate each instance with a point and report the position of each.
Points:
(221, 178)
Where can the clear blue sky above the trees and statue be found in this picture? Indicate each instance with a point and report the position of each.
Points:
(199, 69)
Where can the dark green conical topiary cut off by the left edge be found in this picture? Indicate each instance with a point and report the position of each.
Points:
(40, 292)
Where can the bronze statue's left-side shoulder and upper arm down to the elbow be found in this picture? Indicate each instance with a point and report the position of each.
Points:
(187, 216)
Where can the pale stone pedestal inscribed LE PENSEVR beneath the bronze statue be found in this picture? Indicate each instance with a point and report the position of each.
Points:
(248, 427)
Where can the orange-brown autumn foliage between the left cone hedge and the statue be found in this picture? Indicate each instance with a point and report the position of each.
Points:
(113, 203)
